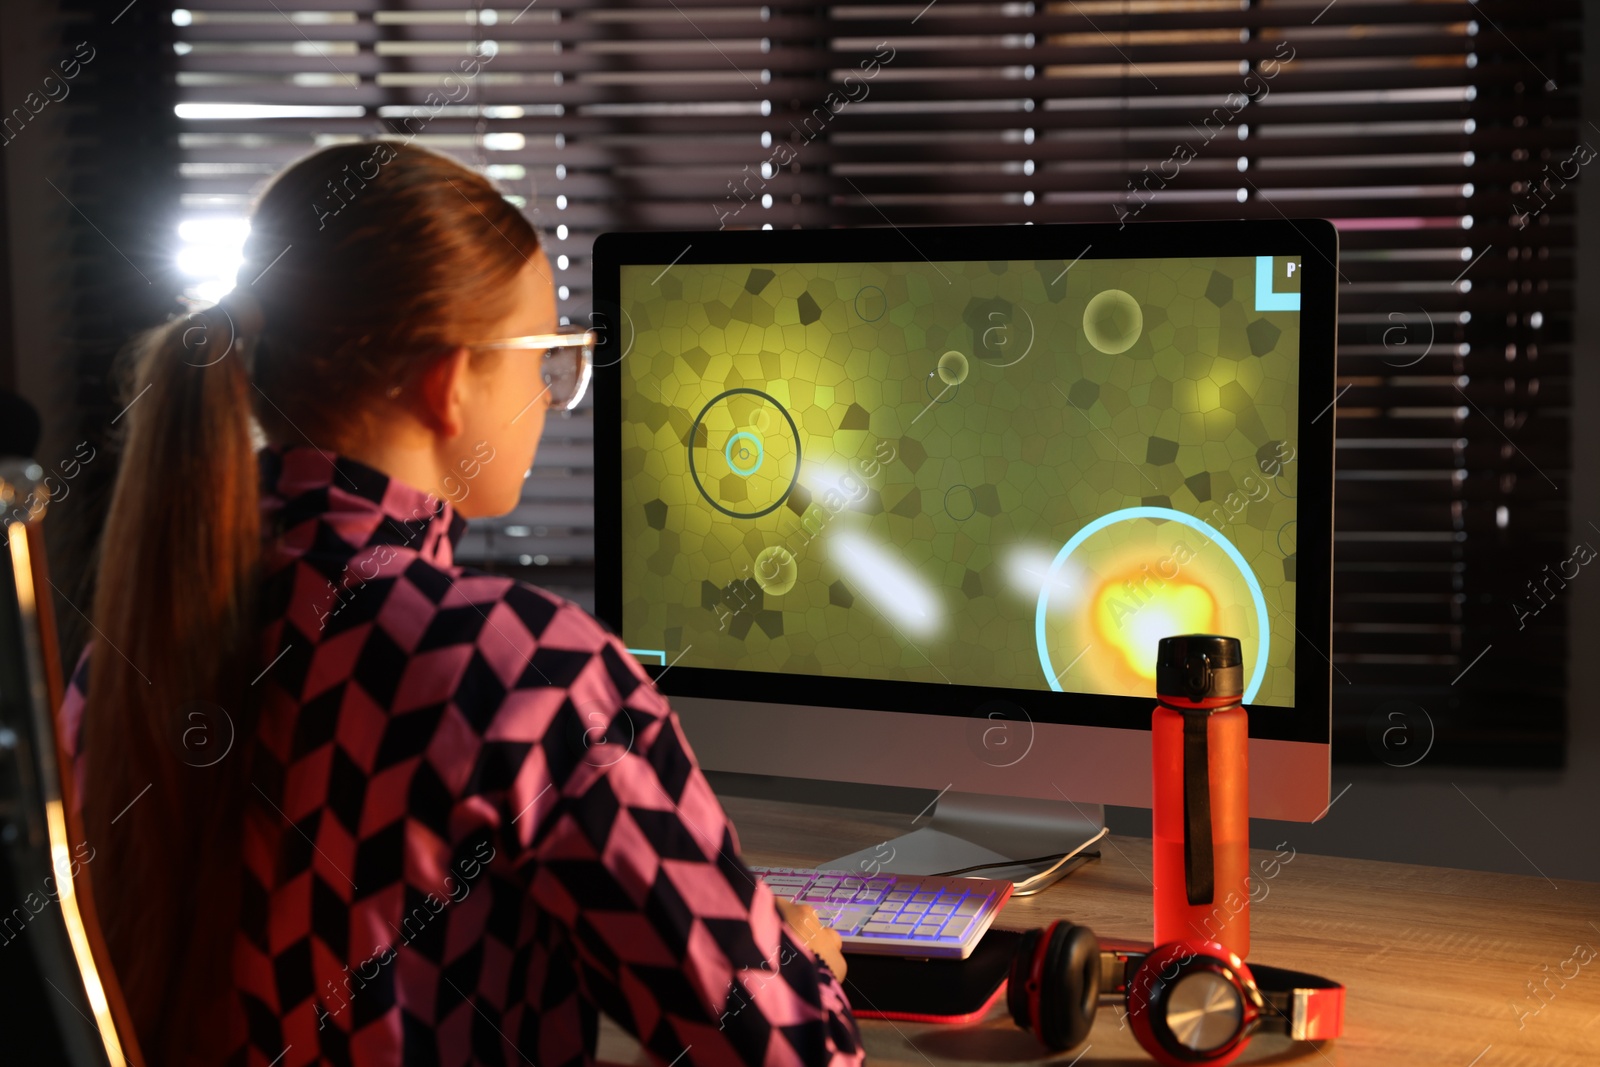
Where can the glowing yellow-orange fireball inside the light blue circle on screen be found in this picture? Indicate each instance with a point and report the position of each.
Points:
(1135, 610)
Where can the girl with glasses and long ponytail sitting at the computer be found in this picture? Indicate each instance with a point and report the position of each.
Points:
(354, 804)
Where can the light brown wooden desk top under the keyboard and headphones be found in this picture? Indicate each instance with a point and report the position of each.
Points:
(1438, 962)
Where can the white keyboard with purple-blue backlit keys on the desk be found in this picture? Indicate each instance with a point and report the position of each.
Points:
(903, 916)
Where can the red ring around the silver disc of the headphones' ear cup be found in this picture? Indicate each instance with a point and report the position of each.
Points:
(1162, 970)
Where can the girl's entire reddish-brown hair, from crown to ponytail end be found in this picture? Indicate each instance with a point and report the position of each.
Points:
(420, 257)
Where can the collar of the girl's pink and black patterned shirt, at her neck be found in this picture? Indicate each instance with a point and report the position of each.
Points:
(332, 503)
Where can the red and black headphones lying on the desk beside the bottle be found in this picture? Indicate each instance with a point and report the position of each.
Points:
(1190, 1002)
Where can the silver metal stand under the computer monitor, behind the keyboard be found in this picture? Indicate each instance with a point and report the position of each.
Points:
(972, 829)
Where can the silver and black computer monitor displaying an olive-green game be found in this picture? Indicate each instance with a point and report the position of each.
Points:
(914, 506)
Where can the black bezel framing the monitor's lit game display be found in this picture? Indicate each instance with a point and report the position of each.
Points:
(1314, 241)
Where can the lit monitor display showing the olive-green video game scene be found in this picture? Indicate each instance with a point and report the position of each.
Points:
(983, 476)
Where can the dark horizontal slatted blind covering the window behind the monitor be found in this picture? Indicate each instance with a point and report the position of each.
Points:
(1441, 137)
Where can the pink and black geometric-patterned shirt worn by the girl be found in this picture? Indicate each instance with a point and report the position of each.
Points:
(476, 821)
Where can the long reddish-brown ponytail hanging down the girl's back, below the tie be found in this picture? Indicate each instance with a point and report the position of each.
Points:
(167, 714)
